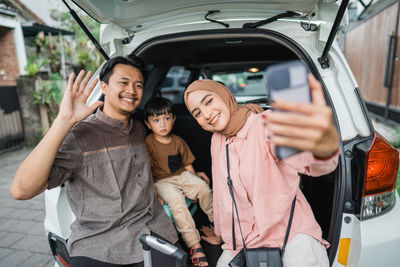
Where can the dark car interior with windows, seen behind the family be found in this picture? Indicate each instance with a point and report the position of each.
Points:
(238, 60)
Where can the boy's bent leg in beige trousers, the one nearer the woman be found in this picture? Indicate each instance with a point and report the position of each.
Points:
(196, 188)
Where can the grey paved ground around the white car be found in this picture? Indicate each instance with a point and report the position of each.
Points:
(22, 238)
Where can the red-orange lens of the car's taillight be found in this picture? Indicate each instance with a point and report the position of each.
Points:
(381, 167)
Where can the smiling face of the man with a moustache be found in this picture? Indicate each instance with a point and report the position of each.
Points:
(124, 91)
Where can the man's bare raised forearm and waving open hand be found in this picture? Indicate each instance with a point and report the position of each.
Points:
(32, 175)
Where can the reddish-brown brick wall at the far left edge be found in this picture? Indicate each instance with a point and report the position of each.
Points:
(9, 69)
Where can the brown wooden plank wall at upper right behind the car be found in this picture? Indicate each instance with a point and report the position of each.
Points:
(366, 49)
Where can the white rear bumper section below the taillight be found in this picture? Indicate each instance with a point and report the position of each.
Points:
(374, 242)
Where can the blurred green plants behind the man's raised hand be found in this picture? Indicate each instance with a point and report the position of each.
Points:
(44, 63)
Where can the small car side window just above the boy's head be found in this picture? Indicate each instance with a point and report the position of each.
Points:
(175, 84)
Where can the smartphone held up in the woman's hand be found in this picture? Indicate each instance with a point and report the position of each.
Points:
(288, 81)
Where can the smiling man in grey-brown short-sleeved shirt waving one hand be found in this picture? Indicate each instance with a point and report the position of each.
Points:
(105, 161)
